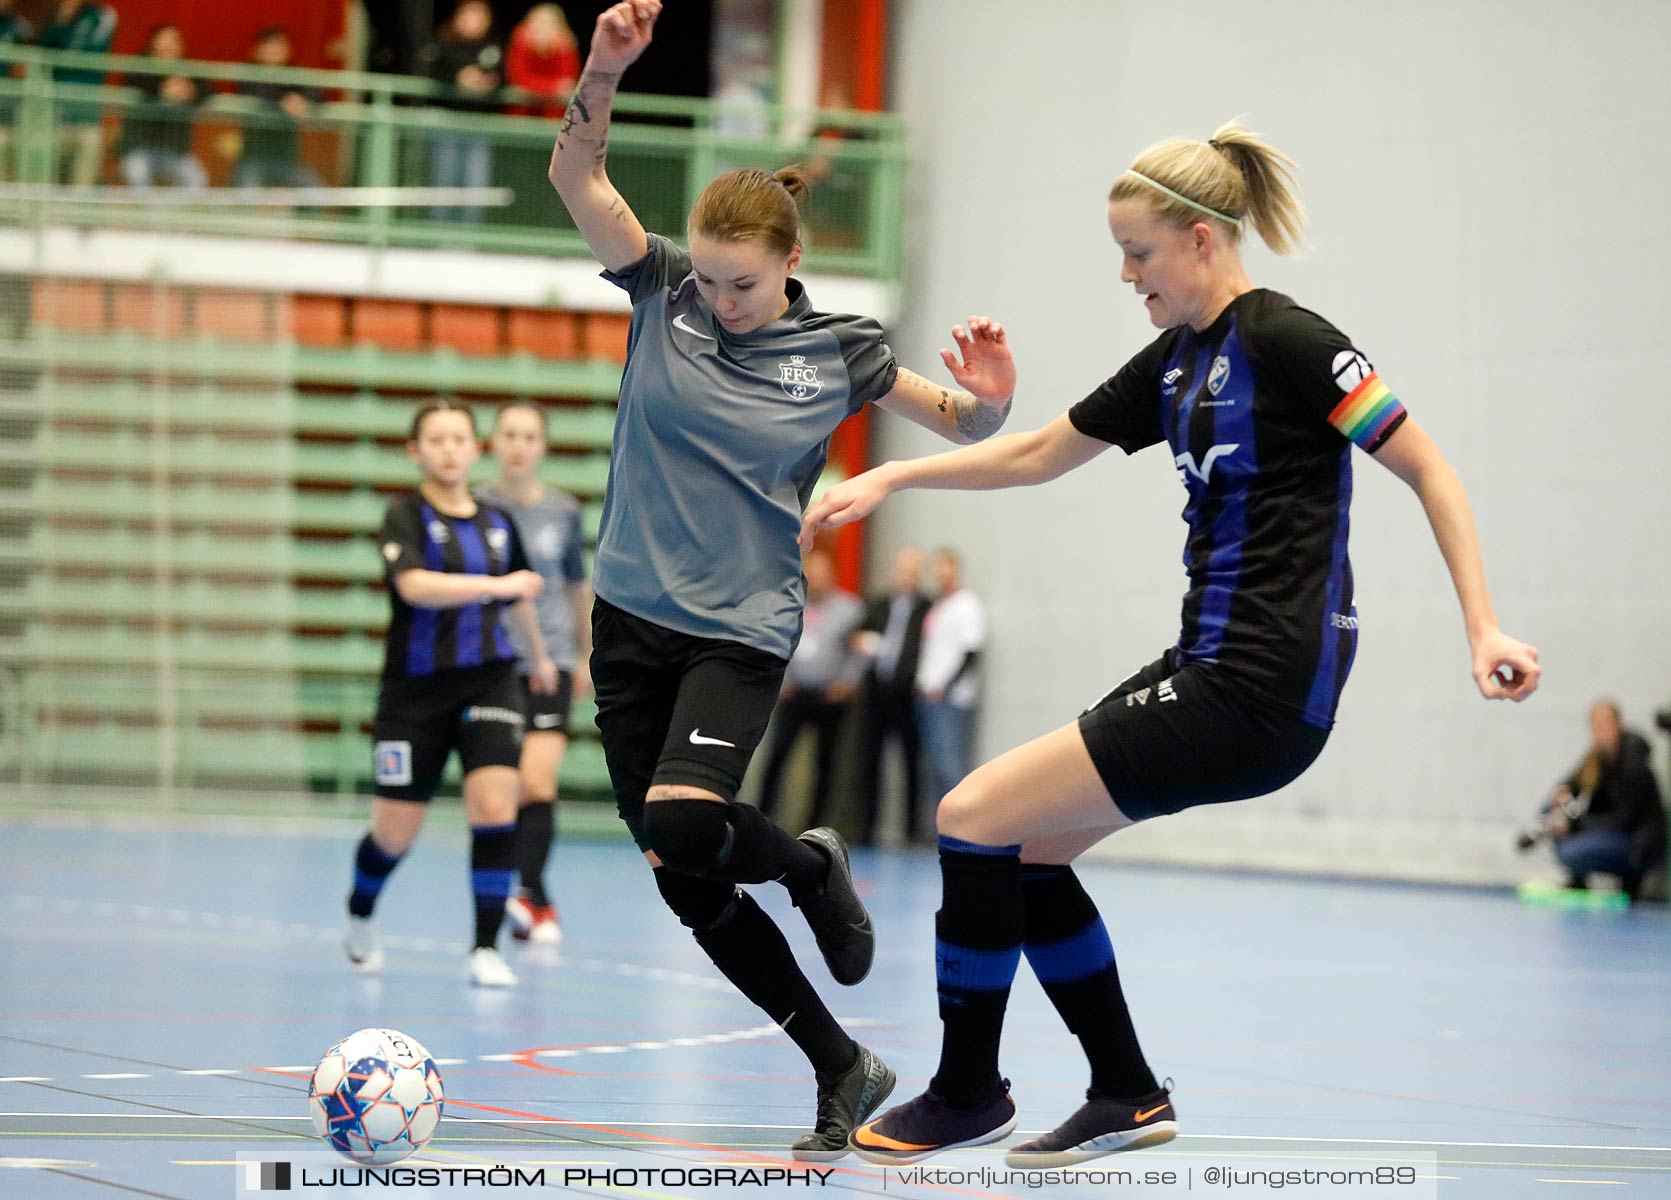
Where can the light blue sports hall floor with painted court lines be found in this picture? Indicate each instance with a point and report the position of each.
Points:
(168, 979)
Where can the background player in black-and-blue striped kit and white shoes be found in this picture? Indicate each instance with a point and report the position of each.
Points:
(449, 683)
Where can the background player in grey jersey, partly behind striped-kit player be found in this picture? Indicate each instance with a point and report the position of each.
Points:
(552, 537)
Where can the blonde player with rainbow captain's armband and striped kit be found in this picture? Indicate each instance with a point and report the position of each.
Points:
(1261, 404)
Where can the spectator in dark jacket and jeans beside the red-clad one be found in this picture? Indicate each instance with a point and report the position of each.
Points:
(467, 58)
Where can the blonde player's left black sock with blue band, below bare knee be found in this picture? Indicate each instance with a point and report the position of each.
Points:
(978, 945)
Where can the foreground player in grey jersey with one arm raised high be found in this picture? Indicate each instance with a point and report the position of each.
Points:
(734, 385)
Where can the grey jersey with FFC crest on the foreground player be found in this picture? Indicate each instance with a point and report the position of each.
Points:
(719, 442)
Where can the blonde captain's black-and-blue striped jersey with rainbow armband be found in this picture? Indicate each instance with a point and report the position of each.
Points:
(1261, 412)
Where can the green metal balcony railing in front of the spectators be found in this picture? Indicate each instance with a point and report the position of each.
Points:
(382, 131)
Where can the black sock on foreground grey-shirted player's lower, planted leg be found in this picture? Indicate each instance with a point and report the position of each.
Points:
(749, 950)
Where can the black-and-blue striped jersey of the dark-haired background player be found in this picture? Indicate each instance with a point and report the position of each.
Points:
(419, 537)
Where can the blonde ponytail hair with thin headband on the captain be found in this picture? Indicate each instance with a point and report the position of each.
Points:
(1236, 173)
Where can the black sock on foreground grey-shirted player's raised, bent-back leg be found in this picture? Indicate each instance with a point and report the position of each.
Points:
(734, 843)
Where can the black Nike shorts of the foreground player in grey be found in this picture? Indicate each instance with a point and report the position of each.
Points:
(676, 709)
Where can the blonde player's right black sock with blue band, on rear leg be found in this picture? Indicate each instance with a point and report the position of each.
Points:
(1070, 953)
